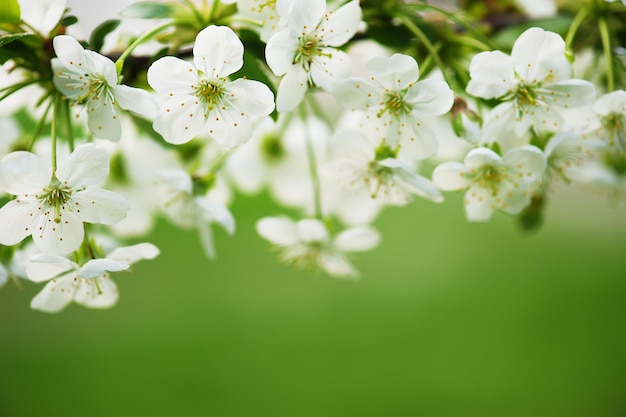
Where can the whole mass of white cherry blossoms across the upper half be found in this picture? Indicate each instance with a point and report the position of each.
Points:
(298, 117)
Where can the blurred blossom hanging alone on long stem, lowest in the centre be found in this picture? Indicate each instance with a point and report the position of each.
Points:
(307, 243)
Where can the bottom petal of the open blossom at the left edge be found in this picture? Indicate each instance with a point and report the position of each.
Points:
(58, 238)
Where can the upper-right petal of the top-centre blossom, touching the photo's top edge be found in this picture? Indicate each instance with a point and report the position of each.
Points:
(341, 25)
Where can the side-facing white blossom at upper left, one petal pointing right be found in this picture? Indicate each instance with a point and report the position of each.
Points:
(91, 79)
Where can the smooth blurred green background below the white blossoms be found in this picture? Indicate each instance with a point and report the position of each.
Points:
(449, 319)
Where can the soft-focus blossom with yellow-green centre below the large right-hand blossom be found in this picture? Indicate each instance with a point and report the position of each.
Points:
(493, 182)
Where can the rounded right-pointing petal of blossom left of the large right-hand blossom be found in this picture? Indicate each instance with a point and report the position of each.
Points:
(433, 97)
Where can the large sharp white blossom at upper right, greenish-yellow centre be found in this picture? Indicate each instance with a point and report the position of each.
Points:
(534, 84)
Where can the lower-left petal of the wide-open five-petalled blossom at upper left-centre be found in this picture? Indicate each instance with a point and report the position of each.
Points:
(180, 119)
